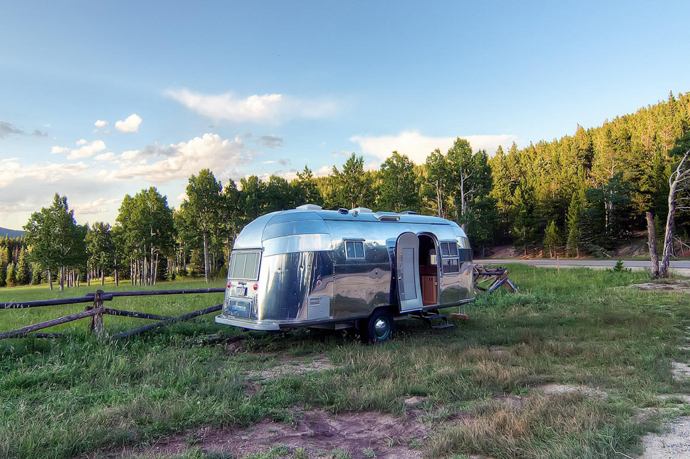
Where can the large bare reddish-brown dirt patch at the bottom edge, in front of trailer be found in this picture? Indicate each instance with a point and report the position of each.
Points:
(367, 434)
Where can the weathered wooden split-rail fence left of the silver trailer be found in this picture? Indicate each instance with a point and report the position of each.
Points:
(96, 310)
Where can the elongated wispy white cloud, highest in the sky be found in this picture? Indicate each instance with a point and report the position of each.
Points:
(256, 108)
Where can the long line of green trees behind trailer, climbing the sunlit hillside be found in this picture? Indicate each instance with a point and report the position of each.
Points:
(582, 194)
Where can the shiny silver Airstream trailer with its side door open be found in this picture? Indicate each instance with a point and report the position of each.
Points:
(309, 267)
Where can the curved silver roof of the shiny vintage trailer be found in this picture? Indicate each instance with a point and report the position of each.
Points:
(311, 219)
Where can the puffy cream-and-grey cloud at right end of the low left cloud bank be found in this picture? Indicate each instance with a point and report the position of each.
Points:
(179, 161)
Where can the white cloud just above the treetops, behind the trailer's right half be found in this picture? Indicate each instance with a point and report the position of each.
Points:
(418, 146)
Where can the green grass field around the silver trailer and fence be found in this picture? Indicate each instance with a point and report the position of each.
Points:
(77, 396)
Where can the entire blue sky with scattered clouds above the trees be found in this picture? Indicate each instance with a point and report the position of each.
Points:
(267, 87)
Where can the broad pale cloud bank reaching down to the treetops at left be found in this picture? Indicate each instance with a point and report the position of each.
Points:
(94, 188)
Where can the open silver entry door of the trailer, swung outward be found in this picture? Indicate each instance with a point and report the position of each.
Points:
(407, 267)
